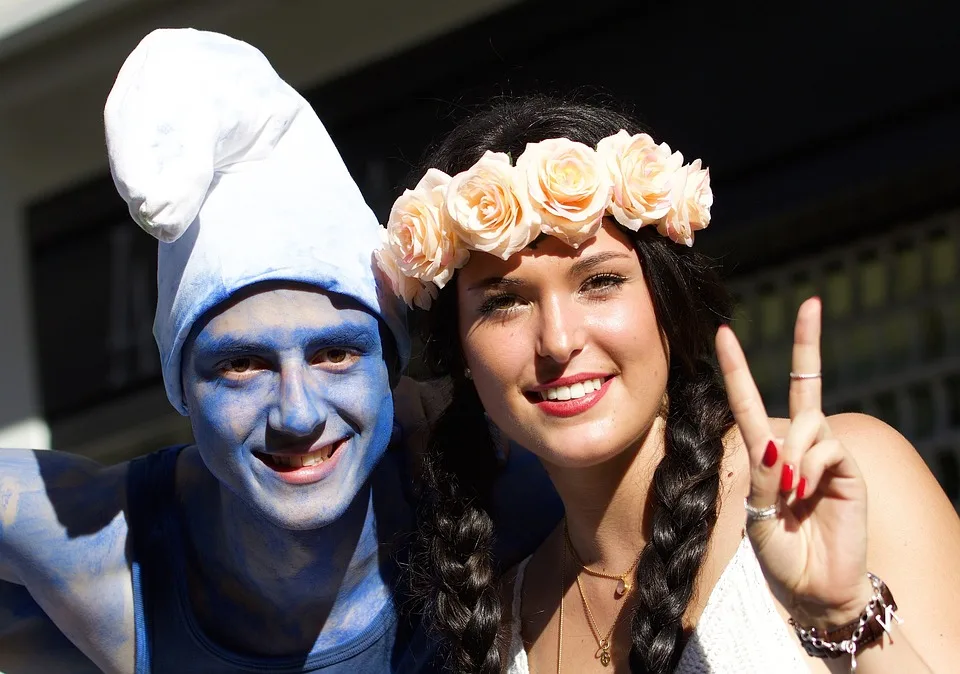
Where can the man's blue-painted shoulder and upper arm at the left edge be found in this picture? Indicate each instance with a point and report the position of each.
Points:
(63, 537)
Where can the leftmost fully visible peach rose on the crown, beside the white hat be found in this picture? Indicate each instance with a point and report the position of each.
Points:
(421, 239)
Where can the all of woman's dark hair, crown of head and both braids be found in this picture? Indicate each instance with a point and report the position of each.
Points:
(452, 553)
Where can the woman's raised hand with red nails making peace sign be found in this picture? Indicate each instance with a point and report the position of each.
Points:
(813, 547)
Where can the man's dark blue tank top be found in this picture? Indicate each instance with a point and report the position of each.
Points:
(170, 641)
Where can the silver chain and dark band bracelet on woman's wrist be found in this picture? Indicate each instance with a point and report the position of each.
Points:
(848, 639)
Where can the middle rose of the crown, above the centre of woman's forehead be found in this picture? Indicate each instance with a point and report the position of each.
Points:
(569, 186)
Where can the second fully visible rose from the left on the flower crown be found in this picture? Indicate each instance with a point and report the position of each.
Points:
(489, 209)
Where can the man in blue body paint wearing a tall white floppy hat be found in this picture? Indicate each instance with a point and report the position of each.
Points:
(270, 544)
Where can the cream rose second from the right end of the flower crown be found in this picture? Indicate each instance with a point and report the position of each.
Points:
(643, 176)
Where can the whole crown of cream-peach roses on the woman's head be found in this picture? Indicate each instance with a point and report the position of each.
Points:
(558, 187)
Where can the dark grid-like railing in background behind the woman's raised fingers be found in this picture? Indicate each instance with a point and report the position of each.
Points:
(891, 333)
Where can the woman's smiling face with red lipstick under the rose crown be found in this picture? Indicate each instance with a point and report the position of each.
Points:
(564, 346)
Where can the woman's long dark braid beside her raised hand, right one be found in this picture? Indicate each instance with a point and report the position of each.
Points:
(686, 484)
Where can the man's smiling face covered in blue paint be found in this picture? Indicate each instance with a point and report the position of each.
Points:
(290, 402)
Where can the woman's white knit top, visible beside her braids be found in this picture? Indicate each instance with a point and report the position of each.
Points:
(739, 630)
